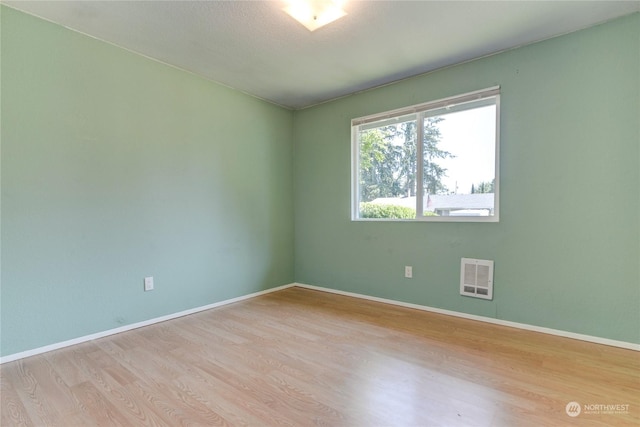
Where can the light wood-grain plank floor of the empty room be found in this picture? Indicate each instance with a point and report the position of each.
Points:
(301, 358)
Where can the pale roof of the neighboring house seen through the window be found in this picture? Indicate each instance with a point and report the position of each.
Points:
(443, 201)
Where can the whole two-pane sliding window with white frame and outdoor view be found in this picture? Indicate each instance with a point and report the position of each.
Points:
(451, 175)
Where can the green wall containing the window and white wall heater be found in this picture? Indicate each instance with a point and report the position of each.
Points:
(567, 247)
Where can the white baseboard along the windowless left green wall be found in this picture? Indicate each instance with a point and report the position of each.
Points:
(79, 340)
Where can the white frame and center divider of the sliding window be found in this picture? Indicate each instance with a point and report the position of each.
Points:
(425, 110)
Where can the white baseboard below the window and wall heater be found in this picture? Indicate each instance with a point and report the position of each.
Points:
(557, 332)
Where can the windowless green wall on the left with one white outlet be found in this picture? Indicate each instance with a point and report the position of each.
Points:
(116, 167)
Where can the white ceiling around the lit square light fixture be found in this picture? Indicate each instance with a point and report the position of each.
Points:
(254, 46)
